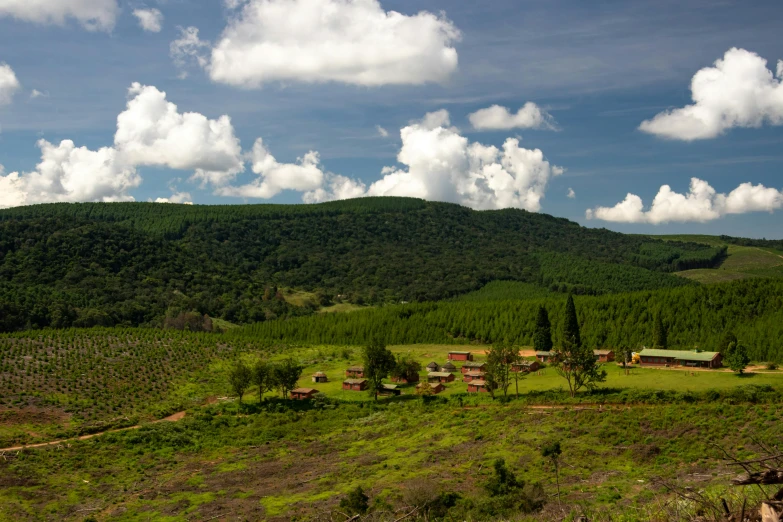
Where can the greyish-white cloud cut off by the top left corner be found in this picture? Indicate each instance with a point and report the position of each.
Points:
(93, 15)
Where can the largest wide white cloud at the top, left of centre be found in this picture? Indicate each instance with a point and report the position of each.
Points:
(348, 41)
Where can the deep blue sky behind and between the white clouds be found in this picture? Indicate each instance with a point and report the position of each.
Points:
(599, 69)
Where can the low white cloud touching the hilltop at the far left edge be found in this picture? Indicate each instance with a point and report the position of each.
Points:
(68, 173)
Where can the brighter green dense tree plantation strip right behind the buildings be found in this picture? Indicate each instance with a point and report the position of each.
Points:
(694, 317)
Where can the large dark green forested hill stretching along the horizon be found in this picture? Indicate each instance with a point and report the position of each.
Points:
(134, 263)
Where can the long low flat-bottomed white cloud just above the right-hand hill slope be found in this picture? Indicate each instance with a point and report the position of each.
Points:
(702, 203)
